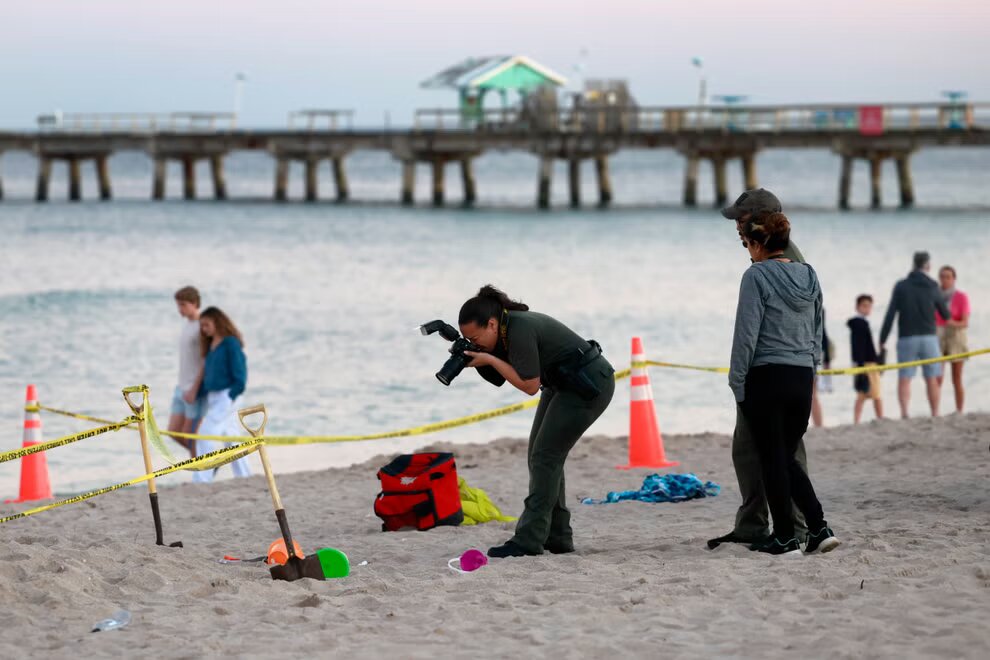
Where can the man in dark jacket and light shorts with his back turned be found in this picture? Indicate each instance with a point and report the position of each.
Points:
(915, 301)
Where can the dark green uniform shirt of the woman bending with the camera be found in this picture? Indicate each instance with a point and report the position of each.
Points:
(536, 342)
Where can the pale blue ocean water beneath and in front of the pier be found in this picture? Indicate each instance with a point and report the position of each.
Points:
(329, 296)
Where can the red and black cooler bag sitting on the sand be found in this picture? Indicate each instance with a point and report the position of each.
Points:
(419, 490)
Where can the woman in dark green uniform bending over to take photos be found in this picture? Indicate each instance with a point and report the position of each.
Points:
(533, 351)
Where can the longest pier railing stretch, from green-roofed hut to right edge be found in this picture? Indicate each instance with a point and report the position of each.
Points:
(742, 119)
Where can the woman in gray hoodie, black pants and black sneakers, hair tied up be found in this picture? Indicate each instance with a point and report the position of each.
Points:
(775, 348)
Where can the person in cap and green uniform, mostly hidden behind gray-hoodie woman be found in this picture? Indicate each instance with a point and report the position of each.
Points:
(753, 517)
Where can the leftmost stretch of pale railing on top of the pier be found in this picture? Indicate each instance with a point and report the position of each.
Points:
(136, 122)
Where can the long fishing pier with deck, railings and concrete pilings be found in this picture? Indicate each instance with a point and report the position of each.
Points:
(714, 135)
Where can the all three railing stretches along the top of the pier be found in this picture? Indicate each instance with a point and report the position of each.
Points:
(855, 118)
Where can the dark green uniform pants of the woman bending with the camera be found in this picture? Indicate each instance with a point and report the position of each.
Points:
(561, 419)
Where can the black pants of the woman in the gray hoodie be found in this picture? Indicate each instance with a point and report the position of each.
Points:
(777, 407)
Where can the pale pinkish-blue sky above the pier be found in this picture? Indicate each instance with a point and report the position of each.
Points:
(371, 55)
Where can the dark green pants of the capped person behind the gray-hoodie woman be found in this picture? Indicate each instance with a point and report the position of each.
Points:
(753, 517)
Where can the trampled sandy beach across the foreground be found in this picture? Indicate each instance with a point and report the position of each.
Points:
(909, 500)
